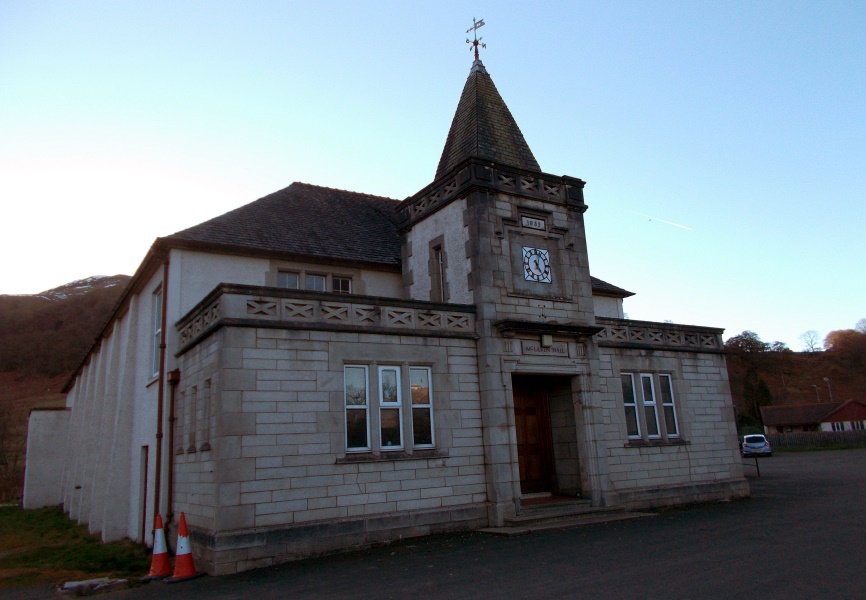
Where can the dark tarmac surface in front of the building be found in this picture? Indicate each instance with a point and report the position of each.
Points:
(802, 535)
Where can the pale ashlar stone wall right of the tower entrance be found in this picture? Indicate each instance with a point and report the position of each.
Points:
(702, 462)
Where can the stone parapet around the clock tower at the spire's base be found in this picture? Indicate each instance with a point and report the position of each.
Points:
(478, 174)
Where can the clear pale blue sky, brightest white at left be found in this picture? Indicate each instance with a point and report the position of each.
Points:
(723, 143)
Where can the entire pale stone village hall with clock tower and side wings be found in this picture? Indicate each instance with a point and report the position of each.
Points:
(323, 369)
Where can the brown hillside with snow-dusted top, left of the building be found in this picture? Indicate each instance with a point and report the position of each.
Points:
(43, 338)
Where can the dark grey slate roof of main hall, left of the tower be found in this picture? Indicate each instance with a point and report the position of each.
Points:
(307, 220)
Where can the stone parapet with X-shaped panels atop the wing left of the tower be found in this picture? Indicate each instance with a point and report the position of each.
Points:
(251, 306)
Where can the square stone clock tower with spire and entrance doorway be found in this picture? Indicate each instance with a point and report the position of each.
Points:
(495, 231)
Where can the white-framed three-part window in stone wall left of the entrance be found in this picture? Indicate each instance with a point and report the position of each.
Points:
(394, 417)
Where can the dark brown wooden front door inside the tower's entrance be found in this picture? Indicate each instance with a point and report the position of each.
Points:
(534, 448)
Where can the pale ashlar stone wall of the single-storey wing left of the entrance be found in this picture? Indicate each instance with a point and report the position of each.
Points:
(277, 460)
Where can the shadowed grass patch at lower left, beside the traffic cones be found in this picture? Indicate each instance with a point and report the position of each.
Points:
(44, 547)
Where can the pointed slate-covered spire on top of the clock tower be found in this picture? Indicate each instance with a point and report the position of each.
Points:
(484, 128)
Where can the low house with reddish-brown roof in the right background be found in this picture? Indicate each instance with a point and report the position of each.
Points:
(827, 416)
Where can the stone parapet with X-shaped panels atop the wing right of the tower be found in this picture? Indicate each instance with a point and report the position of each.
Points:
(625, 333)
